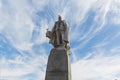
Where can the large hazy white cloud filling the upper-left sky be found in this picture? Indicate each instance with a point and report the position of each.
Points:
(16, 22)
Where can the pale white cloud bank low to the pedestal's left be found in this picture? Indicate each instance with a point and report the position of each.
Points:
(19, 67)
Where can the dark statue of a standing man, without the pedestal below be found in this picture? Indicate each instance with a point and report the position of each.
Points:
(59, 34)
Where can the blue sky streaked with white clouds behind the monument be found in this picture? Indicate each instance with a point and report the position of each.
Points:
(94, 38)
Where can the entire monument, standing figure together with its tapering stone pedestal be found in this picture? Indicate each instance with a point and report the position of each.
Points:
(58, 65)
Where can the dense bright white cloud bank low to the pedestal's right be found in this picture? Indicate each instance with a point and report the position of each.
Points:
(99, 67)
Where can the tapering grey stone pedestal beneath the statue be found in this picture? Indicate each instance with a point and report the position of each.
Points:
(58, 67)
